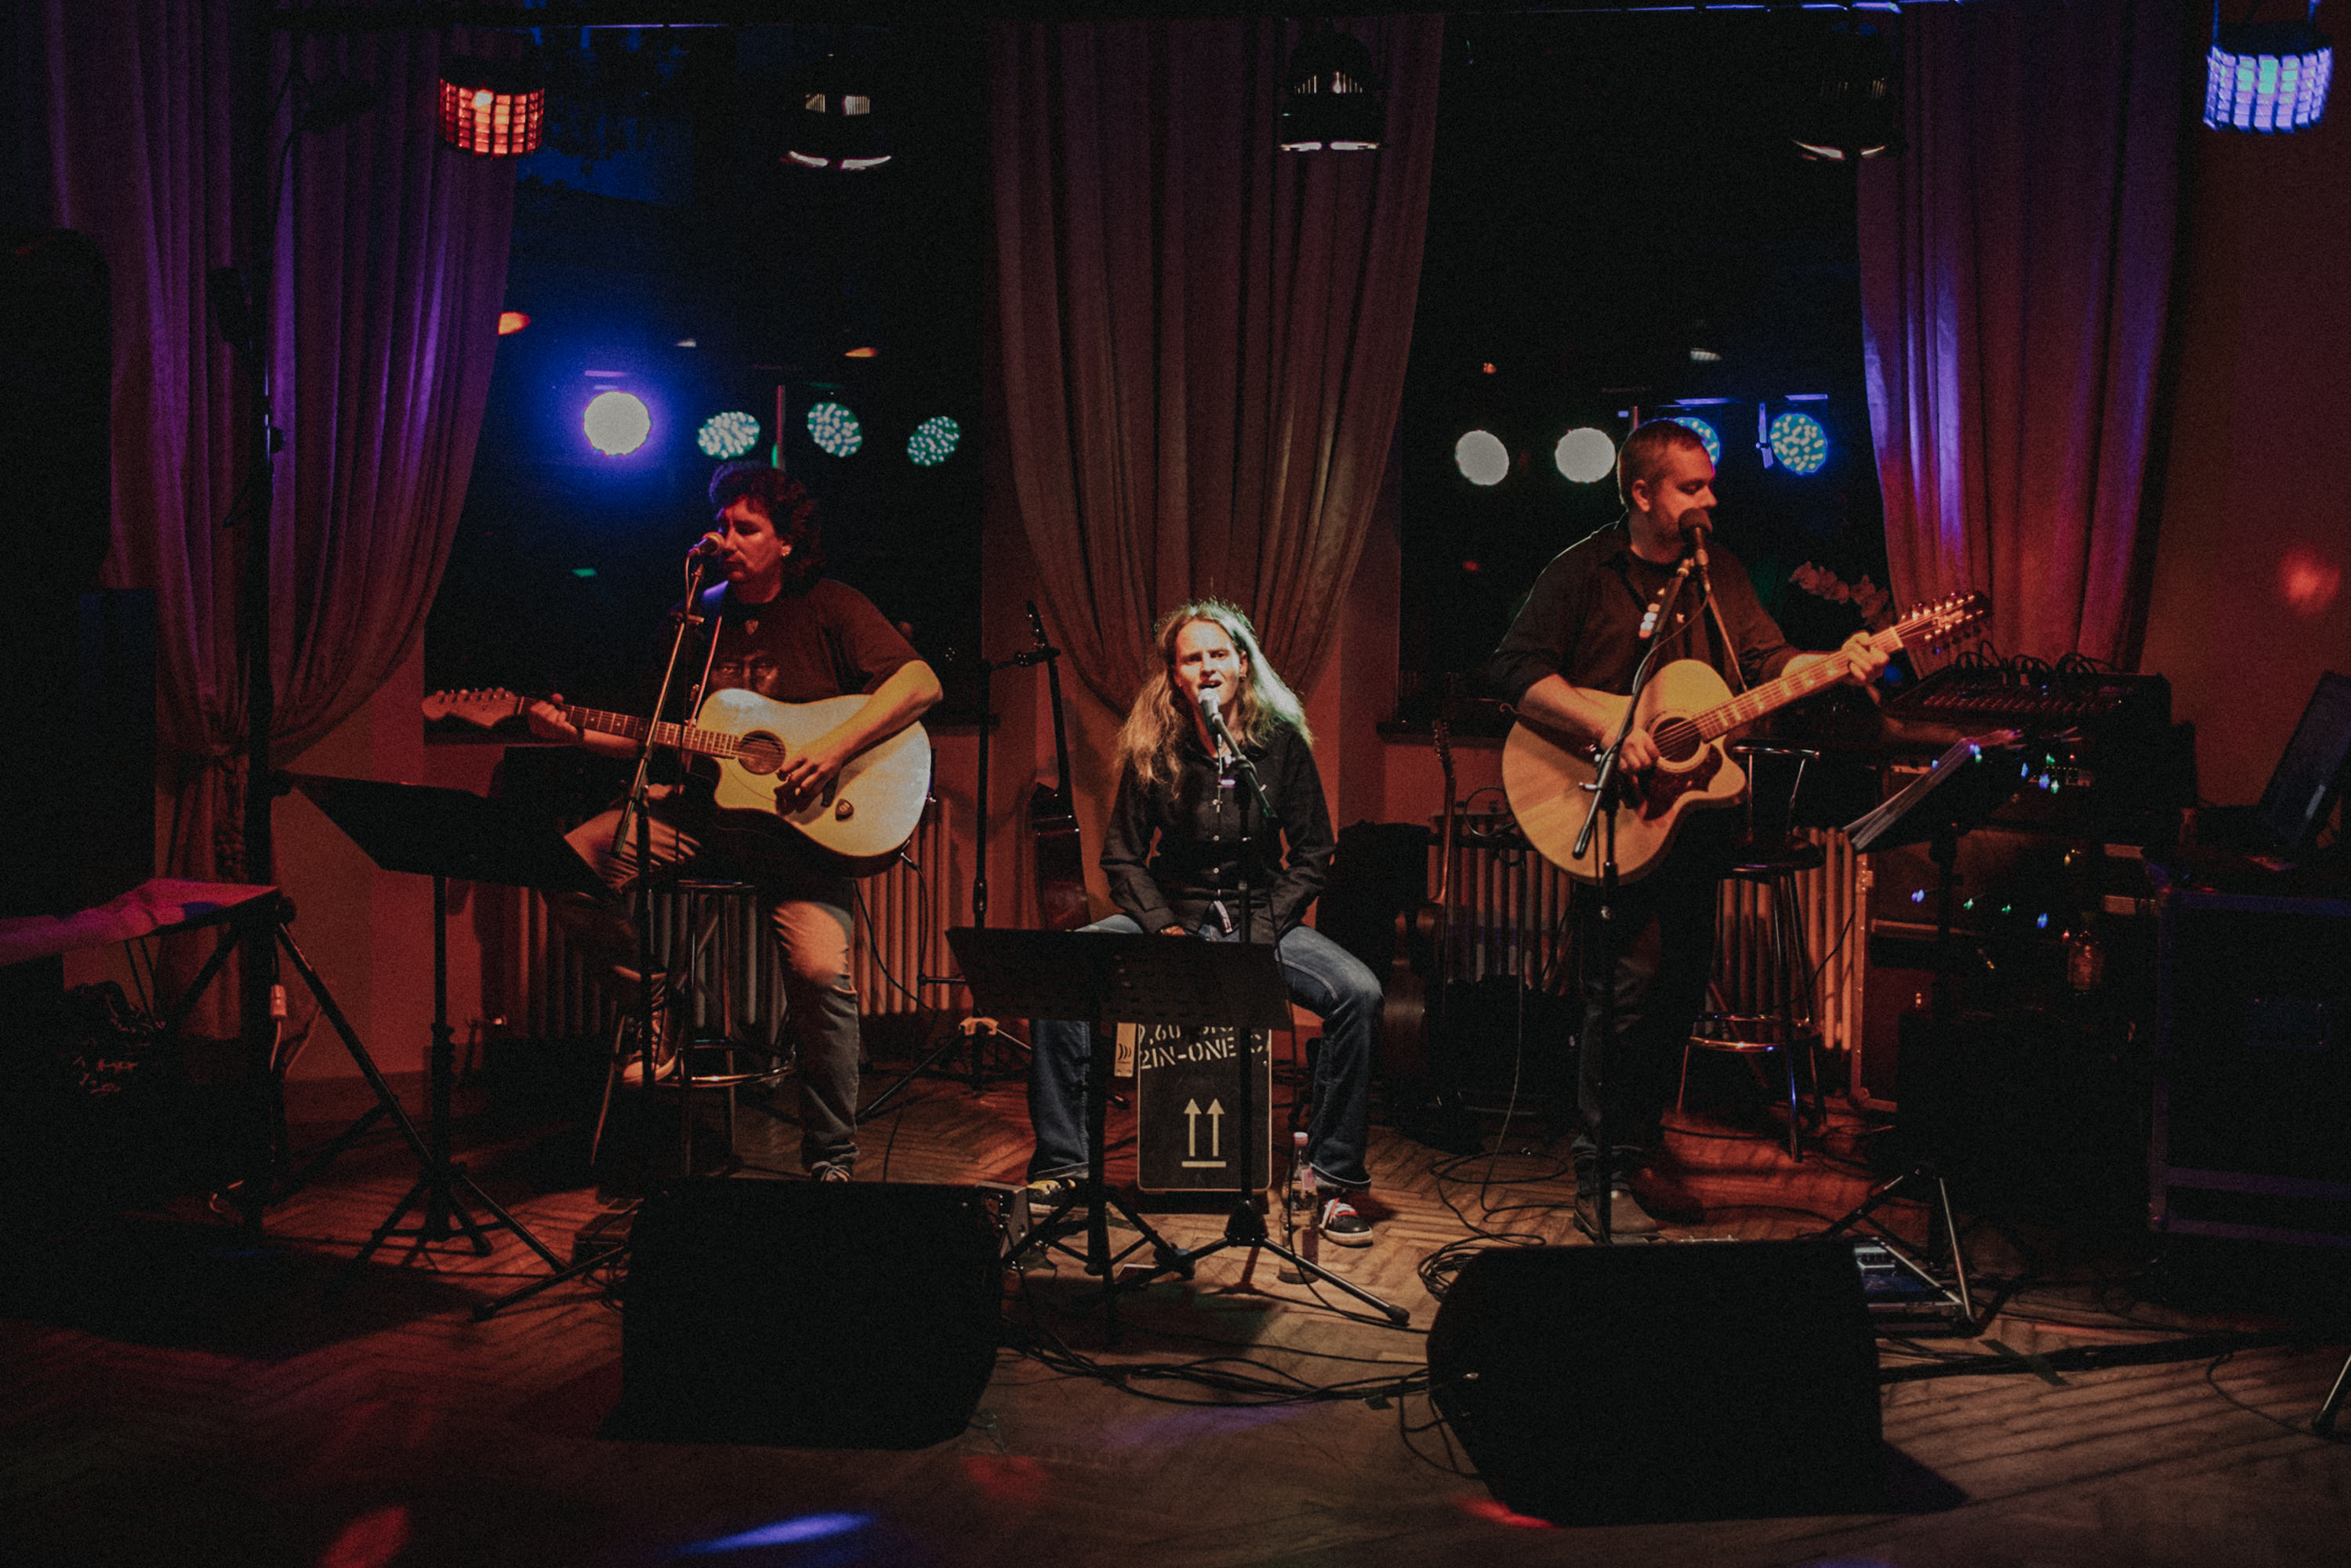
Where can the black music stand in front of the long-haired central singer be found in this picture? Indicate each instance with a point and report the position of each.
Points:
(1111, 977)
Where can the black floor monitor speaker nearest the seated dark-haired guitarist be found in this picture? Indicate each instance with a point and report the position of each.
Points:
(808, 1315)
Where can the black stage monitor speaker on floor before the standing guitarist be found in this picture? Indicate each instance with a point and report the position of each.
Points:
(1666, 1383)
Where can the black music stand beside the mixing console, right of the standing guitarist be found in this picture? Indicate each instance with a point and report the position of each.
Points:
(1953, 798)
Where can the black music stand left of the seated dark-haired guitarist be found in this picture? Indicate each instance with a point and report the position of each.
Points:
(448, 833)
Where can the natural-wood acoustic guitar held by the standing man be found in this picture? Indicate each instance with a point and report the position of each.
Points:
(1687, 711)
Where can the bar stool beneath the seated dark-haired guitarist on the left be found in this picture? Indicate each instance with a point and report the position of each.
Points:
(706, 1057)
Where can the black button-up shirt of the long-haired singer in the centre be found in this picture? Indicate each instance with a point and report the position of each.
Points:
(1177, 847)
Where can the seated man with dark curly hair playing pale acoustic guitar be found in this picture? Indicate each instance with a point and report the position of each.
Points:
(789, 634)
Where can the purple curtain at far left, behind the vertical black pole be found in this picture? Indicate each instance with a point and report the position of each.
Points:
(384, 304)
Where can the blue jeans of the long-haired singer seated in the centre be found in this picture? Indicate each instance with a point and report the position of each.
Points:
(1325, 979)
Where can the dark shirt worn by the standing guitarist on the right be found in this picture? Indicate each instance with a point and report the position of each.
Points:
(1583, 622)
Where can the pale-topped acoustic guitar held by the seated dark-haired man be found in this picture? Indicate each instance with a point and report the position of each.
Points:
(859, 824)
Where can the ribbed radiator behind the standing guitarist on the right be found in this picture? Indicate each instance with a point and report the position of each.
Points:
(1511, 920)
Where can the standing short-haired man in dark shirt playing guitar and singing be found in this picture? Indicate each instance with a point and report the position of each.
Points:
(1576, 643)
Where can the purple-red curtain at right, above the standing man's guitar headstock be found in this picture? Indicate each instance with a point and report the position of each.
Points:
(2016, 276)
